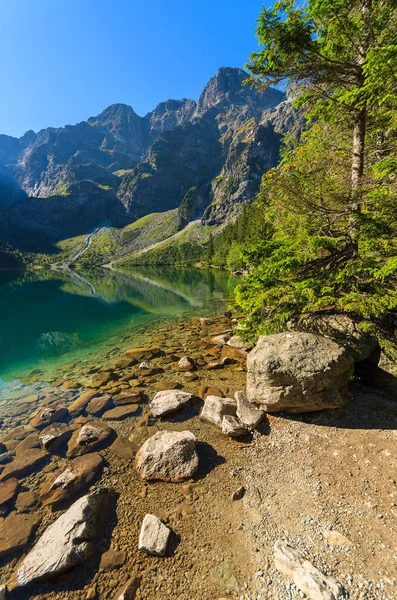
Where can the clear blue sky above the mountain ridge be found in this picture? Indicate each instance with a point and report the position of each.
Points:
(63, 61)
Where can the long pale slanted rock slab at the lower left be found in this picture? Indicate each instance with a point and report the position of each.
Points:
(64, 544)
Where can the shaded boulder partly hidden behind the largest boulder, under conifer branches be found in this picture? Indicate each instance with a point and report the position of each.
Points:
(343, 330)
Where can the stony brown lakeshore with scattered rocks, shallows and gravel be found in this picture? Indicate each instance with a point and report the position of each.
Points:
(197, 485)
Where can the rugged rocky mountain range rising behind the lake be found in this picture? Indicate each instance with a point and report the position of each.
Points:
(202, 159)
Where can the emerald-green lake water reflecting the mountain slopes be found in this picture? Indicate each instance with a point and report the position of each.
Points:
(50, 318)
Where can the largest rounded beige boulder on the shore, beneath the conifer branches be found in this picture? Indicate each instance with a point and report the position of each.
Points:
(297, 372)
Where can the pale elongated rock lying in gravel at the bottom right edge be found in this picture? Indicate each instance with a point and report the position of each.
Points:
(307, 578)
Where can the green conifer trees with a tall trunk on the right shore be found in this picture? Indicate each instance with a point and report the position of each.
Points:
(329, 208)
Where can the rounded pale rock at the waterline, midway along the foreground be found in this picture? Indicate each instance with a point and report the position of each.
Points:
(169, 456)
